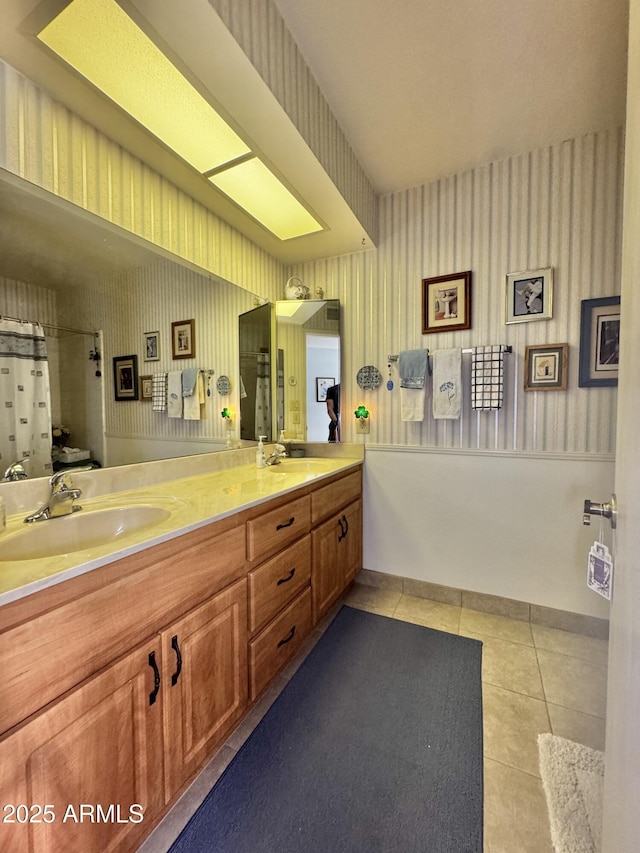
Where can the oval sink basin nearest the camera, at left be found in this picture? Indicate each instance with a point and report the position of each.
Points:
(81, 530)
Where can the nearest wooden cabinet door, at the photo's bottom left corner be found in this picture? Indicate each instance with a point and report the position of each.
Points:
(86, 773)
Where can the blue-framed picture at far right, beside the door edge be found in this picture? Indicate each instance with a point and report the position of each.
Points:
(599, 342)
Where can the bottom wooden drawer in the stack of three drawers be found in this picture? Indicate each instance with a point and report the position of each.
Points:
(278, 643)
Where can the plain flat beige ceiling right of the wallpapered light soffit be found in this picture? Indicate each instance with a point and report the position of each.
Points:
(428, 88)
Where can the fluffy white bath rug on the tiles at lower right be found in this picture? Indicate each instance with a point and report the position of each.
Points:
(572, 778)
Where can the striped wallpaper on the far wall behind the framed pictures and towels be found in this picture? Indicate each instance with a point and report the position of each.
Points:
(559, 206)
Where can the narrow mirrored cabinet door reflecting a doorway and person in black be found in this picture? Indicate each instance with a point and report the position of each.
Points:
(308, 337)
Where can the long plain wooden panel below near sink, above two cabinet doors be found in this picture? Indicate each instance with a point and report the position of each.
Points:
(52, 653)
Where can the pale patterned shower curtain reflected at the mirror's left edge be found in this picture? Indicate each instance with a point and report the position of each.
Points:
(25, 398)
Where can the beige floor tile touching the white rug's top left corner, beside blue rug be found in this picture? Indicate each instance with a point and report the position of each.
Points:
(512, 723)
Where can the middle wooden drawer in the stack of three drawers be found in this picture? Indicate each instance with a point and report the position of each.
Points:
(276, 582)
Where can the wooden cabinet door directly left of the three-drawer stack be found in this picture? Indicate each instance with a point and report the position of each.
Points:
(206, 681)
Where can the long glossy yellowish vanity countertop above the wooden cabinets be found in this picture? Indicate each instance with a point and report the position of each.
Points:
(192, 501)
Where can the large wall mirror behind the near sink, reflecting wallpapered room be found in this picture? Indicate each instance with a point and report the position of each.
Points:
(100, 293)
